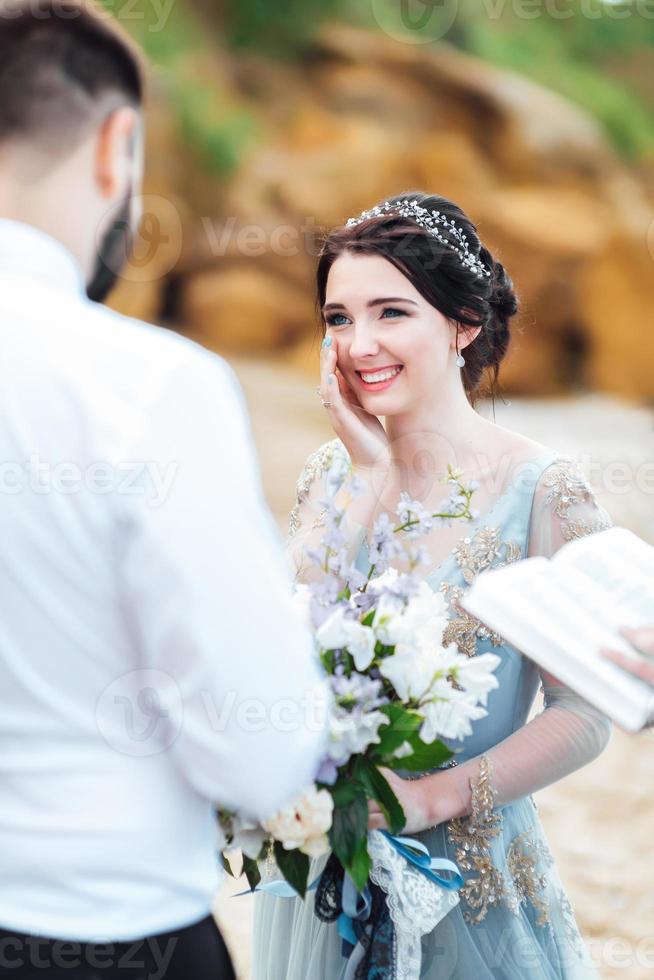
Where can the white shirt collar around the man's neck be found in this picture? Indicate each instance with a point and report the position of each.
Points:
(30, 252)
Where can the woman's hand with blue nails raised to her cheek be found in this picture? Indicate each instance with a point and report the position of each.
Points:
(361, 433)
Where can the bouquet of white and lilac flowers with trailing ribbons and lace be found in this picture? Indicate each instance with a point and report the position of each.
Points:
(399, 696)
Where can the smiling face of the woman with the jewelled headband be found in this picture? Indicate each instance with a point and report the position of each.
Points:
(394, 348)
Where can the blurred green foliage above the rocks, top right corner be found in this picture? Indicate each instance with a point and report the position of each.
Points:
(570, 46)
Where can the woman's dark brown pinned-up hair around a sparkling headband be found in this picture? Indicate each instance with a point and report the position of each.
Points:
(439, 275)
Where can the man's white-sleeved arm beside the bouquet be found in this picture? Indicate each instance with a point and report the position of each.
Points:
(209, 593)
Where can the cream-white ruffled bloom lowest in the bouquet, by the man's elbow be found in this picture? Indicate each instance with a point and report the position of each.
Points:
(304, 823)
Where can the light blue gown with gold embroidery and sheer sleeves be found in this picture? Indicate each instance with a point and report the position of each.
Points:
(513, 921)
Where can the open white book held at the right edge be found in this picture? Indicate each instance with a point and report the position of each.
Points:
(561, 611)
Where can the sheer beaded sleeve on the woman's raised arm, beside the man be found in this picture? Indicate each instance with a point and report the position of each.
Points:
(322, 476)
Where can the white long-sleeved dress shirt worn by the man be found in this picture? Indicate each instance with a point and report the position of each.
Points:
(150, 659)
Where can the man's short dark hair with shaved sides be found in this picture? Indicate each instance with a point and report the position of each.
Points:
(58, 61)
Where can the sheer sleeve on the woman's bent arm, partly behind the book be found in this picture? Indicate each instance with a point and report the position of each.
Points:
(569, 732)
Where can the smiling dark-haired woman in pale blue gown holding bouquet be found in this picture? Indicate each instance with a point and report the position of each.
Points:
(416, 314)
